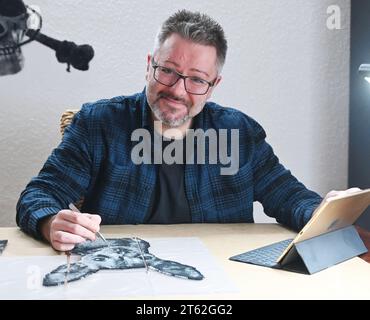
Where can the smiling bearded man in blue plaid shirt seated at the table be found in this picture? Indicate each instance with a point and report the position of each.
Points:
(98, 158)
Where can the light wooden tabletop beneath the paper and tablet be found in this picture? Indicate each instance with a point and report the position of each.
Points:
(347, 280)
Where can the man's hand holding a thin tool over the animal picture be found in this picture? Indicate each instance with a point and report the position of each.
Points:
(67, 228)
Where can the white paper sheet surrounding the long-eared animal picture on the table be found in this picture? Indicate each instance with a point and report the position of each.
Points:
(21, 277)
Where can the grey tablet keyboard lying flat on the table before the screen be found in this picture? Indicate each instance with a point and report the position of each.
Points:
(264, 256)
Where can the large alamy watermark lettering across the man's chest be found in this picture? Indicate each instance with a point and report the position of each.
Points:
(223, 147)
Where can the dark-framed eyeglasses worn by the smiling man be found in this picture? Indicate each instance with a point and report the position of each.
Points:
(169, 77)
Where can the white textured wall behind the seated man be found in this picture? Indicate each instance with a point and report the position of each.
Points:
(284, 67)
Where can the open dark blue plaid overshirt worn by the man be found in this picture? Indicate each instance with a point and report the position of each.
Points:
(94, 161)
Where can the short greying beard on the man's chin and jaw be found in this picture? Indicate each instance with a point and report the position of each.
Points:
(165, 117)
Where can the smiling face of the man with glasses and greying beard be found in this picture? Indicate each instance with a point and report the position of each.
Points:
(174, 106)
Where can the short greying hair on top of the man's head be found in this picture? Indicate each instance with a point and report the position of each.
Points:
(196, 27)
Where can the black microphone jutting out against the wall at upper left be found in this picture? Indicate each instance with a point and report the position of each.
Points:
(68, 52)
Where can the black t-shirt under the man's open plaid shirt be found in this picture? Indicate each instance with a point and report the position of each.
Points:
(168, 201)
